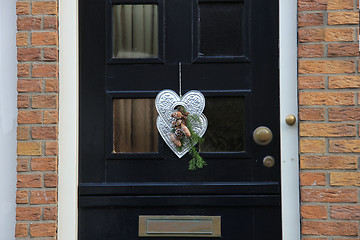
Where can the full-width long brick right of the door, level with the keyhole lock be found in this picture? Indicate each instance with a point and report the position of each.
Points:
(328, 162)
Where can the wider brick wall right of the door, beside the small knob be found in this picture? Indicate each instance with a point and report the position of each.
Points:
(329, 102)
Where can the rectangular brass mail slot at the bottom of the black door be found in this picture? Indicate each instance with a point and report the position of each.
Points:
(179, 226)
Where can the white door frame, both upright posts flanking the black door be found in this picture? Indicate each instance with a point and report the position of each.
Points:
(69, 106)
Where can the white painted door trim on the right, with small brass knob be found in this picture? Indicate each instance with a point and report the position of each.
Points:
(289, 134)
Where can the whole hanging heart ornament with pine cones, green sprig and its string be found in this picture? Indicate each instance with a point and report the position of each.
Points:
(181, 122)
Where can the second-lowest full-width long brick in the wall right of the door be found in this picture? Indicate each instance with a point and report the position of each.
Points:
(329, 195)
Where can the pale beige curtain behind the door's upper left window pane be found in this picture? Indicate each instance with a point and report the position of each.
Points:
(135, 31)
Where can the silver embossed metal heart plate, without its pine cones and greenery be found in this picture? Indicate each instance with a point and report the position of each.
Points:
(165, 103)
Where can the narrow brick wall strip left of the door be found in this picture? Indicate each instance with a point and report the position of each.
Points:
(37, 41)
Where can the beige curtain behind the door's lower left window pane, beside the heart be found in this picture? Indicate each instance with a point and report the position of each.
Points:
(135, 126)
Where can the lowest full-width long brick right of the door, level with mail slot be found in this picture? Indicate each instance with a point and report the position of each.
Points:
(330, 228)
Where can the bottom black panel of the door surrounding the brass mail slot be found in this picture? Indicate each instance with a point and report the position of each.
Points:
(239, 221)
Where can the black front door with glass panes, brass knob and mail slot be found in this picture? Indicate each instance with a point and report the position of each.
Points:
(131, 185)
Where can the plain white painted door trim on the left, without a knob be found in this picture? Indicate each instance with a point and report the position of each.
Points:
(68, 120)
